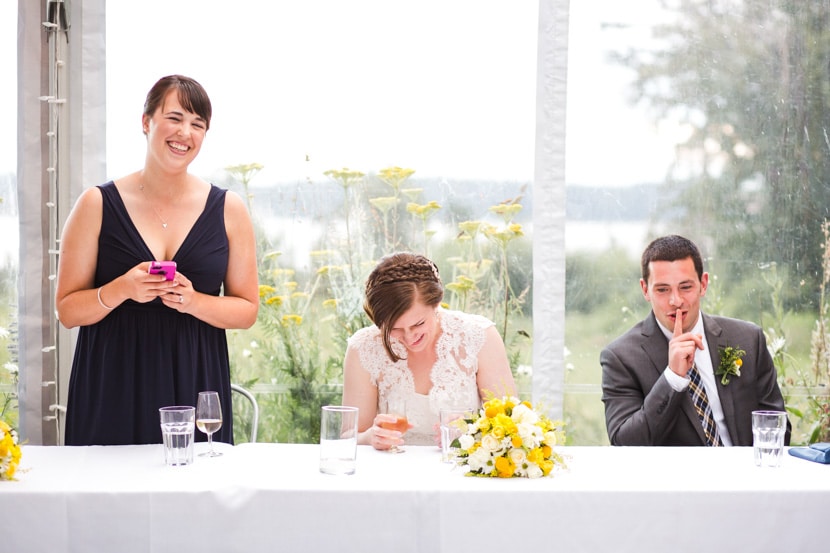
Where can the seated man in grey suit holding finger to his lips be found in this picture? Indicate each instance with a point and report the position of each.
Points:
(650, 373)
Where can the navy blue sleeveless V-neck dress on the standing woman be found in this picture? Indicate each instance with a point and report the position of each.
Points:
(144, 356)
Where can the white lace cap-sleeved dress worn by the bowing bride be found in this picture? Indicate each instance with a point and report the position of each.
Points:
(453, 376)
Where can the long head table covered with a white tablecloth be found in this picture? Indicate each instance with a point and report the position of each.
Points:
(271, 497)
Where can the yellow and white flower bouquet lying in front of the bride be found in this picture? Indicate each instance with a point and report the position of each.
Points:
(507, 438)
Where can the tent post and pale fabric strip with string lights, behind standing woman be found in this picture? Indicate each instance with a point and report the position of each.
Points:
(61, 147)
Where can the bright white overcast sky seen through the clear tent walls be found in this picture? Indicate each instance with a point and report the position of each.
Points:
(444, 87)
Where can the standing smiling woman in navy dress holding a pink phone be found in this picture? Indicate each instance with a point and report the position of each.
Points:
(146, 342)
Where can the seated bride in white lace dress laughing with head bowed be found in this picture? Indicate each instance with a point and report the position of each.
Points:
(428, 356)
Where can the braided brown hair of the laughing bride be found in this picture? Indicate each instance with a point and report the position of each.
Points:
(396, 283)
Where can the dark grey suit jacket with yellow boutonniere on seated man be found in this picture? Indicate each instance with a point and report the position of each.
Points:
(641, 408)
